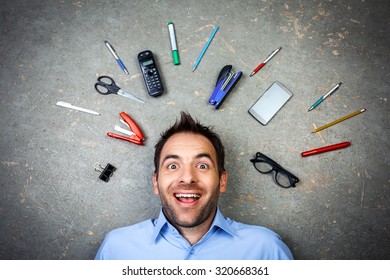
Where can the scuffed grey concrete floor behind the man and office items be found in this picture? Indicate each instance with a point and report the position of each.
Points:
(52, 203)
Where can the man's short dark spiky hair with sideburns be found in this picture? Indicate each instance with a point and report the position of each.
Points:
(188, 125)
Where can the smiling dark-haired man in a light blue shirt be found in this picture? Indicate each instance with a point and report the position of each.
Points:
(189, 177)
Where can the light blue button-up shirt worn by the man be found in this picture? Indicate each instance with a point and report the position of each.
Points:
(157, 239)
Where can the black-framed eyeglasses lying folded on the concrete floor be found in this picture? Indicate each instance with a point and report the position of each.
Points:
(265, 165)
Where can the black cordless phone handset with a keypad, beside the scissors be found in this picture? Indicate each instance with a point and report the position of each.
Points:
(150, 73)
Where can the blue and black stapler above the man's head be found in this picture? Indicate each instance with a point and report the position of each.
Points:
(226, 81)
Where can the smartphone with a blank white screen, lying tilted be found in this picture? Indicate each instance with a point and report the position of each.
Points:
(270, 102)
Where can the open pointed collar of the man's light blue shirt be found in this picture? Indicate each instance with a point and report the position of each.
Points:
(219, 221)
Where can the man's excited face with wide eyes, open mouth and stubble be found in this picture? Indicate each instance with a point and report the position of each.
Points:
(188, 182)
